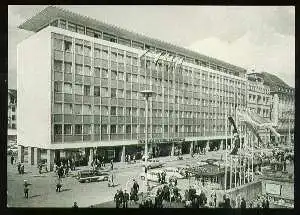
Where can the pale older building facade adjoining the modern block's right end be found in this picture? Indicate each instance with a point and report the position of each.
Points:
(259, 101)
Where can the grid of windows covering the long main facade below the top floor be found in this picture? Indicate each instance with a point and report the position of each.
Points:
(96, 95)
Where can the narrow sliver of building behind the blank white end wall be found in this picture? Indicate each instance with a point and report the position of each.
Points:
(12, 115)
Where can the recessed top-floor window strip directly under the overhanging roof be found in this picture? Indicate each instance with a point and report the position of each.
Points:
(68, 25)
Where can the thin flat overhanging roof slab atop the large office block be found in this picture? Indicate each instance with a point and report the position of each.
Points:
(51, 13)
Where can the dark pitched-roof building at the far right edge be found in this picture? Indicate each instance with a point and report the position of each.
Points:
(283, 106)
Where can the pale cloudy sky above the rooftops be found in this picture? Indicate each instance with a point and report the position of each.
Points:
(259, 37)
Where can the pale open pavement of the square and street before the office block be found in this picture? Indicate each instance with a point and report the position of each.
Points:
(42, 191)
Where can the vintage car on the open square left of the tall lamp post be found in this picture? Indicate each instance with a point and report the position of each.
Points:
(92, 175)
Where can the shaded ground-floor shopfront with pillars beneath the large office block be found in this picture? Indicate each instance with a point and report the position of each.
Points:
(117, 153)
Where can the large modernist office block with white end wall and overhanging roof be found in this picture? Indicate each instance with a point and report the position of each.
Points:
(79, 84)
